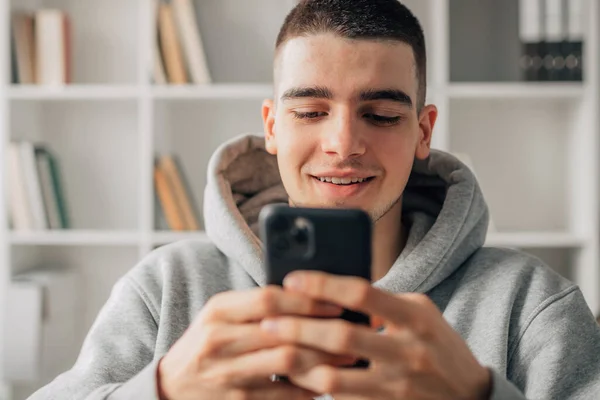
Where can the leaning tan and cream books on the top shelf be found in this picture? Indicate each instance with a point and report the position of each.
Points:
(179, 53)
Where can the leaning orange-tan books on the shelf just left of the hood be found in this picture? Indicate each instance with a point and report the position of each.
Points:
(174, 195)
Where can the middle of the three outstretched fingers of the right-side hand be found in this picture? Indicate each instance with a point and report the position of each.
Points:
(334, 336)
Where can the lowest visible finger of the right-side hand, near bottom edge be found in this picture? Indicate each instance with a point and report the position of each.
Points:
(339, 382)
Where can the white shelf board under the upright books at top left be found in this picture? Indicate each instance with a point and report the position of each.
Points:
(74, 92)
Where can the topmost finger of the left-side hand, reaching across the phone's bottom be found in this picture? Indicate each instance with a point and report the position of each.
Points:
(255, 304)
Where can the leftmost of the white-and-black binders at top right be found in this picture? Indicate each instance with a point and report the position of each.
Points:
(530, 35)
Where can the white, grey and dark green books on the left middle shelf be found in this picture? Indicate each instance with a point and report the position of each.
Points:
(36, 198)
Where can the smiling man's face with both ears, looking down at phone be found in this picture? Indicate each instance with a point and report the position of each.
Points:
(344, 125)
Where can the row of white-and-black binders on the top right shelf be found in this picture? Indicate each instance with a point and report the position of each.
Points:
(551, 33)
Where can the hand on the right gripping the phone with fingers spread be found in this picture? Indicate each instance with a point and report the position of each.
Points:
(417, 356)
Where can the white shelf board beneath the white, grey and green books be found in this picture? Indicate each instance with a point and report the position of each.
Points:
(75, 238)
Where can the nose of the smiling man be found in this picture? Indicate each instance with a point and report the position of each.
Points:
(342, 138)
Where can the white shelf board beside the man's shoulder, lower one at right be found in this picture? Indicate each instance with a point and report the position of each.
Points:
(535, 240)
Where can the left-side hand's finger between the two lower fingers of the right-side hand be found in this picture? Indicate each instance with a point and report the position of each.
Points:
(282, 360)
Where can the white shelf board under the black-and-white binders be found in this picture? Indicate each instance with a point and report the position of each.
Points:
(525, 90)
